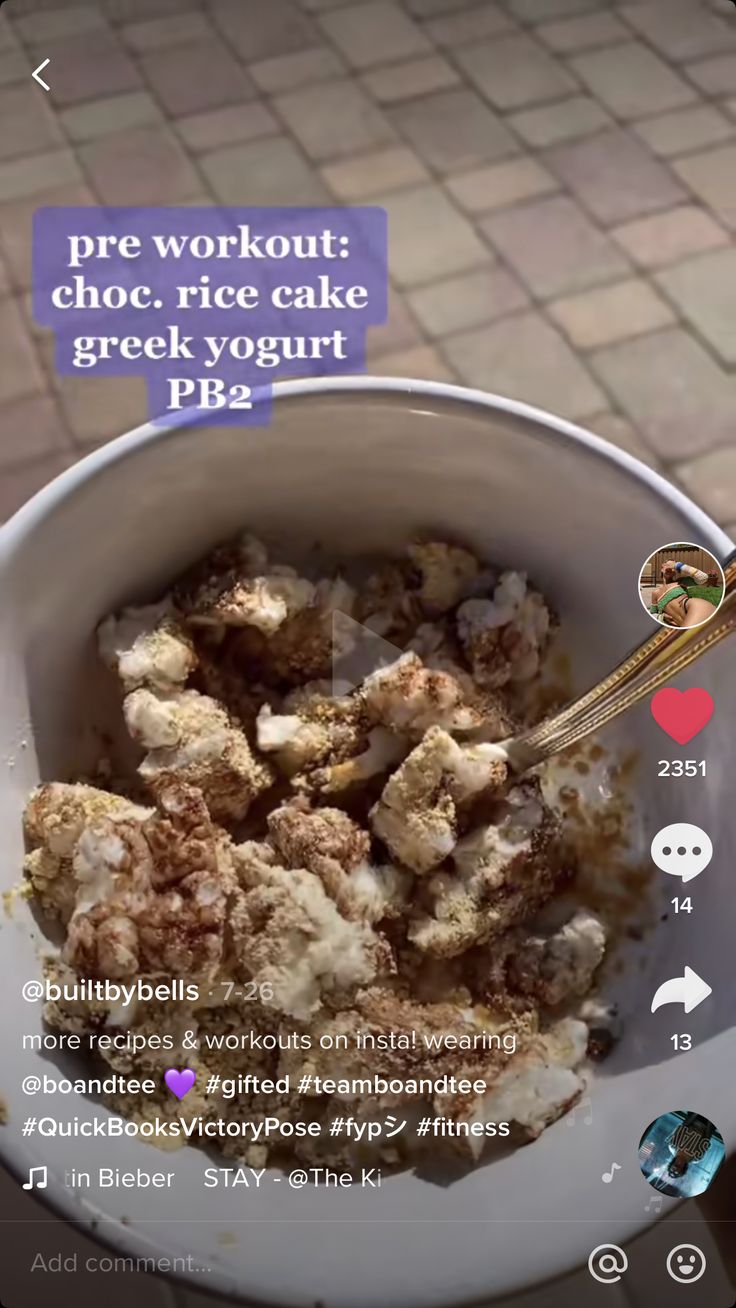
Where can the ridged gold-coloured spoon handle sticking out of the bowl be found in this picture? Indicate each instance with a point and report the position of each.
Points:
(662, 657)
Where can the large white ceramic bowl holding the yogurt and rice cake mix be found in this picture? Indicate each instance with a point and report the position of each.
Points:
(361, 465)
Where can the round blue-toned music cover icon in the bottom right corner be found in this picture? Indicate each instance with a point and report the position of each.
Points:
(680, 1154)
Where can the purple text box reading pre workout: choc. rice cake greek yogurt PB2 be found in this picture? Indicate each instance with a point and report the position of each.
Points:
(211, 305)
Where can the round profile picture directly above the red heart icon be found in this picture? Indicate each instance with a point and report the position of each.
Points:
(682, 585)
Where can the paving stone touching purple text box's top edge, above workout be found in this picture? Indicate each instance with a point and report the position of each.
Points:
(269, 172)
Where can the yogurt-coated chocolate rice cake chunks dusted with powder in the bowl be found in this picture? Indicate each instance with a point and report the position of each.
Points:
(348, 873)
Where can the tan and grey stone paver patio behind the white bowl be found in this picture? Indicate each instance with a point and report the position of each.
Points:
(560, 179)
